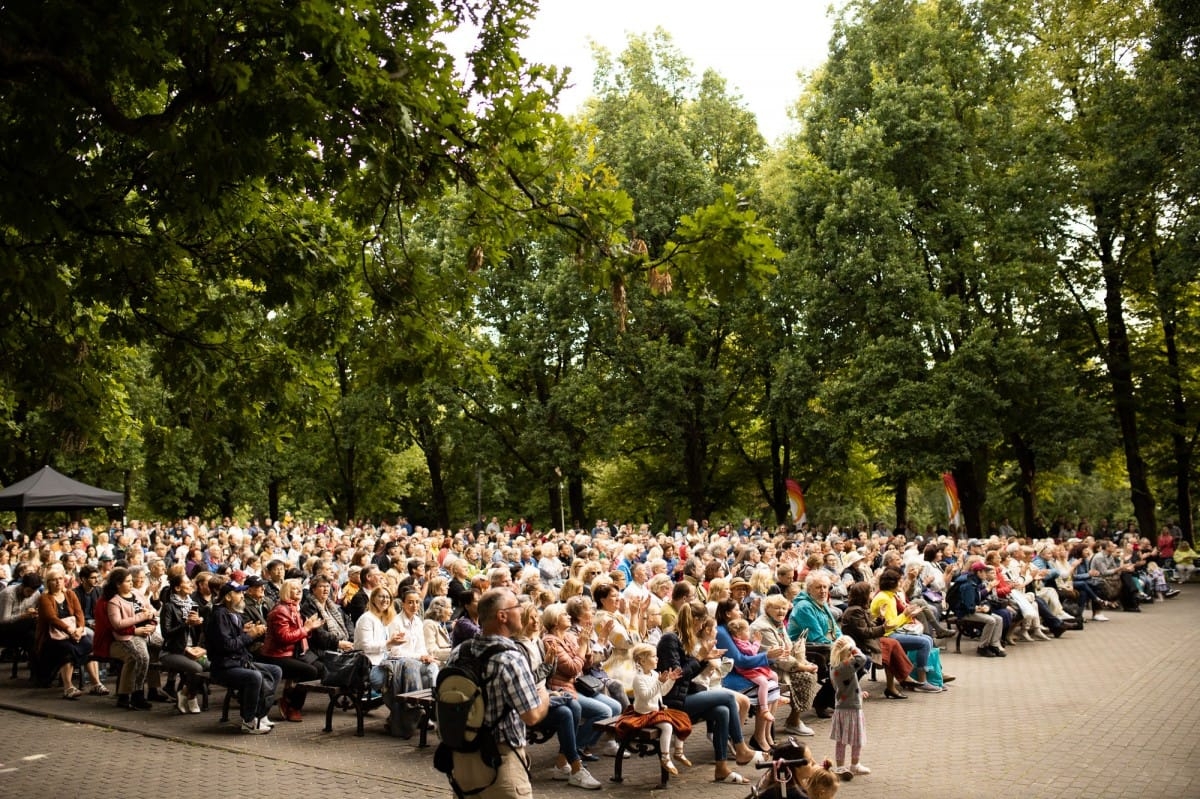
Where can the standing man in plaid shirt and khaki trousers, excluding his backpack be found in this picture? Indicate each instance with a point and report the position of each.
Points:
(513, 700)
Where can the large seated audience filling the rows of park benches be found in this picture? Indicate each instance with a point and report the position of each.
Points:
(700, 624)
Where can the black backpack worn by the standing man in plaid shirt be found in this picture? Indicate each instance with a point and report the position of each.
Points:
(460, 704)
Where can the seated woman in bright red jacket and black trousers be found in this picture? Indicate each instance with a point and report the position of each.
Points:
(287, 647)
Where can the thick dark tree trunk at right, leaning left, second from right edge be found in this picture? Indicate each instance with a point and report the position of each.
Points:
(1120, 367)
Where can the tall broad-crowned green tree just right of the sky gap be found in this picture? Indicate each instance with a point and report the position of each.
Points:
(925, 205)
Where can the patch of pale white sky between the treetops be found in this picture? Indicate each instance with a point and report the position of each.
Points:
(758, 46)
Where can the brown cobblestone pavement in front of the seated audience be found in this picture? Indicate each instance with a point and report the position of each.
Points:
(1106, 713)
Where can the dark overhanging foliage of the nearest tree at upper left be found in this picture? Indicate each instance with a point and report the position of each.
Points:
(164, 163)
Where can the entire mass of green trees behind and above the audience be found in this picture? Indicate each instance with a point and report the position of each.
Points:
(308, 256)
